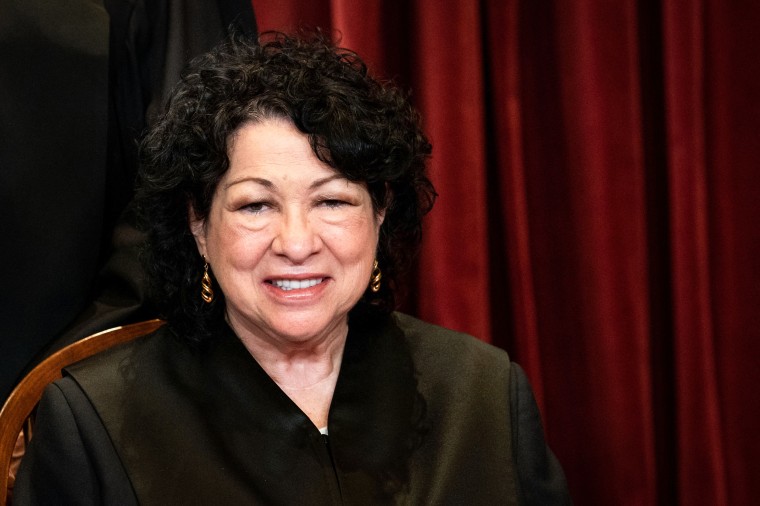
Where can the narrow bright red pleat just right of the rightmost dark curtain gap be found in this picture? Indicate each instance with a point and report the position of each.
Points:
(700, 475)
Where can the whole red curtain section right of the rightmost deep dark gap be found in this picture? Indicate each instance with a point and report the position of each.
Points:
(712, 81)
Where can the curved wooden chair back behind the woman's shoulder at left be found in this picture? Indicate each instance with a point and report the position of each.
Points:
(16, 417)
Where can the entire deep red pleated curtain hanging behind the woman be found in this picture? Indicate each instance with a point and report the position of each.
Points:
(598, 165)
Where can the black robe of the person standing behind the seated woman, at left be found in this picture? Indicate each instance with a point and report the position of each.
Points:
(79, 80)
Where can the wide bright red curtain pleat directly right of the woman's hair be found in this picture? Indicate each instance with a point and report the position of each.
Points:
(454, 270)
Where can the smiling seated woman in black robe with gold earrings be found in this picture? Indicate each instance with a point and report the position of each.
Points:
(282, 193)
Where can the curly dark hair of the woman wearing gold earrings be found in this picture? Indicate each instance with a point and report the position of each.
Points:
(362, 127)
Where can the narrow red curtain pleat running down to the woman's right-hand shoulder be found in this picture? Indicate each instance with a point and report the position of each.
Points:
(511, 258)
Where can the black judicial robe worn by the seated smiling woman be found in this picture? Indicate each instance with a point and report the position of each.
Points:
(420, 415)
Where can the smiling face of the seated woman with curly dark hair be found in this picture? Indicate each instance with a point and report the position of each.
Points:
(289, 240)
